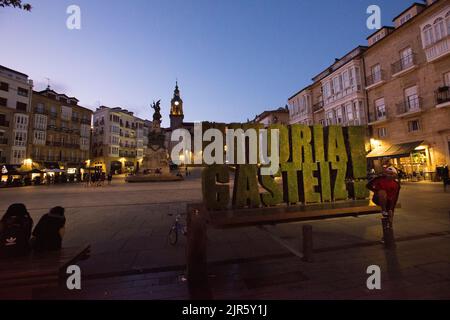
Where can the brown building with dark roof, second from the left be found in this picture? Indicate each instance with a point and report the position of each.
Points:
(59, 132)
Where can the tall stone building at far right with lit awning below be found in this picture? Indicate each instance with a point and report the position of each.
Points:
(407, 83)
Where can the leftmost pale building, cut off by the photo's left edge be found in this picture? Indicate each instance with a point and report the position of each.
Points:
(15, 102)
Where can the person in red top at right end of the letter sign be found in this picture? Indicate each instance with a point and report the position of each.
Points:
(386, 190)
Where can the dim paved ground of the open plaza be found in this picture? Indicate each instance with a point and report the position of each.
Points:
(127, 227)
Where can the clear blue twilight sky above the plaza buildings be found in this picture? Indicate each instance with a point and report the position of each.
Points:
(233, 58)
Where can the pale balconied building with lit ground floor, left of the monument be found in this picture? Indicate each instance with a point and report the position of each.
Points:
(118, 140)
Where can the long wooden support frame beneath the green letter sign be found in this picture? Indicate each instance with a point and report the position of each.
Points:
(199, 219)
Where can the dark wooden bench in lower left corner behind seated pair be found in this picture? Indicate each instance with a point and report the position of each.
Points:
(40, 268)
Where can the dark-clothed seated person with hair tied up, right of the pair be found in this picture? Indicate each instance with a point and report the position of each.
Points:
(48, 233)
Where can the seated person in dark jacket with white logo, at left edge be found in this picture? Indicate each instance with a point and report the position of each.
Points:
(15, 231)
